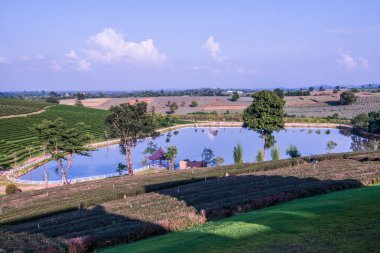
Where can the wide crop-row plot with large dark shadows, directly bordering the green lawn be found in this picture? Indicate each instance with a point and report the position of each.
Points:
(136, 217)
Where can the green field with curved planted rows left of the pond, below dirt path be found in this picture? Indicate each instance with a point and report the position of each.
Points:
(16, 133)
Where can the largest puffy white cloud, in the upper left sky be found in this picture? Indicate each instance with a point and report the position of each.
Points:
(111, 46)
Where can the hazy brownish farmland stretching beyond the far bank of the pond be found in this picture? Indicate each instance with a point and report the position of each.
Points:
(319, 104)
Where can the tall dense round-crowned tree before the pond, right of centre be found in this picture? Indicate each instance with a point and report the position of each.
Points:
(265, 115)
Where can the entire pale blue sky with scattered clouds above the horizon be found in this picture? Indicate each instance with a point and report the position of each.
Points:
(128, 45)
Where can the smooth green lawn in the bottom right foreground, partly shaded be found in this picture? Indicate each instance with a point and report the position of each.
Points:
(346, 221)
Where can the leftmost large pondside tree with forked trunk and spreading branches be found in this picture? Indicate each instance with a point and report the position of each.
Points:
(62, 142)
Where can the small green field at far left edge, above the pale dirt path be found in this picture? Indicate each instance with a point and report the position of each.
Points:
(20, 106)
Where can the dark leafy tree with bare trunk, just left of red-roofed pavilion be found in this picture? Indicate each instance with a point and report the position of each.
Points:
(130, 123)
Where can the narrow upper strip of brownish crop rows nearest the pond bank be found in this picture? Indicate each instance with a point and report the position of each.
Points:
(34, 204)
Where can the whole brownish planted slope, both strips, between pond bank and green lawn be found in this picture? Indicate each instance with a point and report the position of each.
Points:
(168, 205)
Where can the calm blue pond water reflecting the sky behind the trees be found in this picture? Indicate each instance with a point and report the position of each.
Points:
(191, 142)
